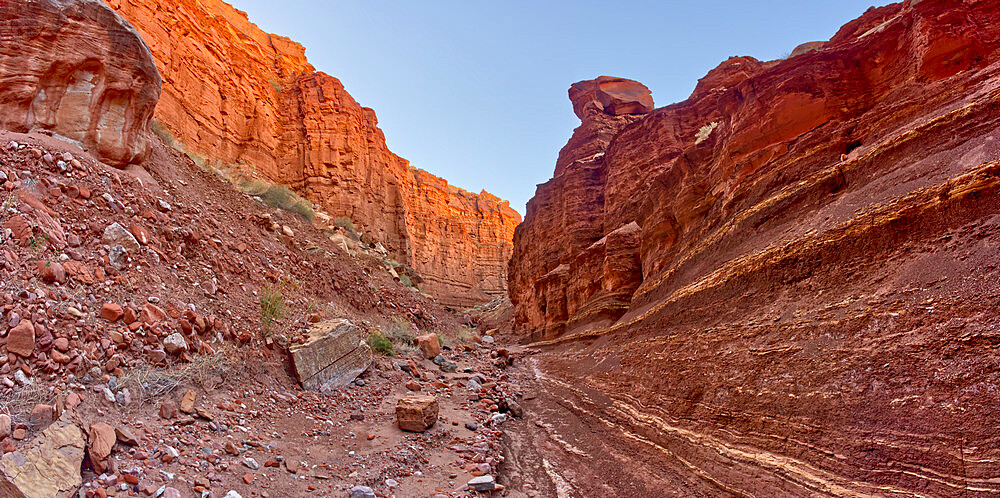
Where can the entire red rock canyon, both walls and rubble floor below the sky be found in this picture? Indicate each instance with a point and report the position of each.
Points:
(785, 285)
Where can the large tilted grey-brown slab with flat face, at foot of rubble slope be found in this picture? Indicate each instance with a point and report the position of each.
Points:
(335, 355)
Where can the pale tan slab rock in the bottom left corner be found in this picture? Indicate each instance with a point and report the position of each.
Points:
(49, 467)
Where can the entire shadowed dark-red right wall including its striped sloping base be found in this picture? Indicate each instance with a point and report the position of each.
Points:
(802, 298)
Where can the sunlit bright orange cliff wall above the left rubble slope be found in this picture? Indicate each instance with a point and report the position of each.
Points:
(237, 97)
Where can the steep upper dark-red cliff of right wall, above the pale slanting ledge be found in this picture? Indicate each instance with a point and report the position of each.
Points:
(689, 174)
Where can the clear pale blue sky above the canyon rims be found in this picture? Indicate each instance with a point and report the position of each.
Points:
(475, 91)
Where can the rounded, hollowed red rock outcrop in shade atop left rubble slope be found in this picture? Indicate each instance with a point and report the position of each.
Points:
(77, 69)
